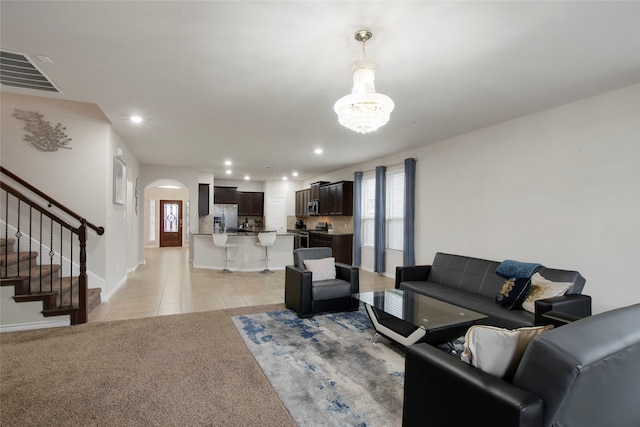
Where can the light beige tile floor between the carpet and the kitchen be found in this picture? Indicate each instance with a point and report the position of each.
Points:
(168, 284)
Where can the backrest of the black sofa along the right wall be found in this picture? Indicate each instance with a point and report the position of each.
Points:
(479, 276)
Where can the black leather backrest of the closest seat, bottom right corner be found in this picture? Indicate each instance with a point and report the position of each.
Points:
(587, 372)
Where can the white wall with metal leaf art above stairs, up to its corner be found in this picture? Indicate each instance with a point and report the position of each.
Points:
(83, 190)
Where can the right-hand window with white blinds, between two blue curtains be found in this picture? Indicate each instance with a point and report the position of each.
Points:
(395, 209)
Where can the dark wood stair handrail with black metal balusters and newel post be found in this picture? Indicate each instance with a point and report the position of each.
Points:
(48, 225)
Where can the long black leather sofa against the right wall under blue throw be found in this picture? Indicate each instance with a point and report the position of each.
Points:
(473, 283)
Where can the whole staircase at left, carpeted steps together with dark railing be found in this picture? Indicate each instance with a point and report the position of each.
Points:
(53, 269)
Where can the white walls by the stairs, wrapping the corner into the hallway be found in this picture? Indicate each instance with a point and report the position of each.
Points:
(80, 177)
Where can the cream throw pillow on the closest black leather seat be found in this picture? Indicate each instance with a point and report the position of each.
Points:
(498, 351)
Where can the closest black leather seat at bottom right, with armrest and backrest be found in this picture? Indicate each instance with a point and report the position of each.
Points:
(585, 373)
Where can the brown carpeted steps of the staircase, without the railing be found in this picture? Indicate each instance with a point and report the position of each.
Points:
(42, 282)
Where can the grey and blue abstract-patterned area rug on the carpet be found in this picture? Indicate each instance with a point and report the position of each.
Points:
(326, 369)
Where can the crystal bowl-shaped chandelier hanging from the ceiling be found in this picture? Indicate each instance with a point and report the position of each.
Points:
(364, 110)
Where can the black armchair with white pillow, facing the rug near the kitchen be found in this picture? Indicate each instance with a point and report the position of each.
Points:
(306, 296)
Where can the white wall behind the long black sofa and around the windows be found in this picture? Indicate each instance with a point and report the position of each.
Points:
(560, 187)
